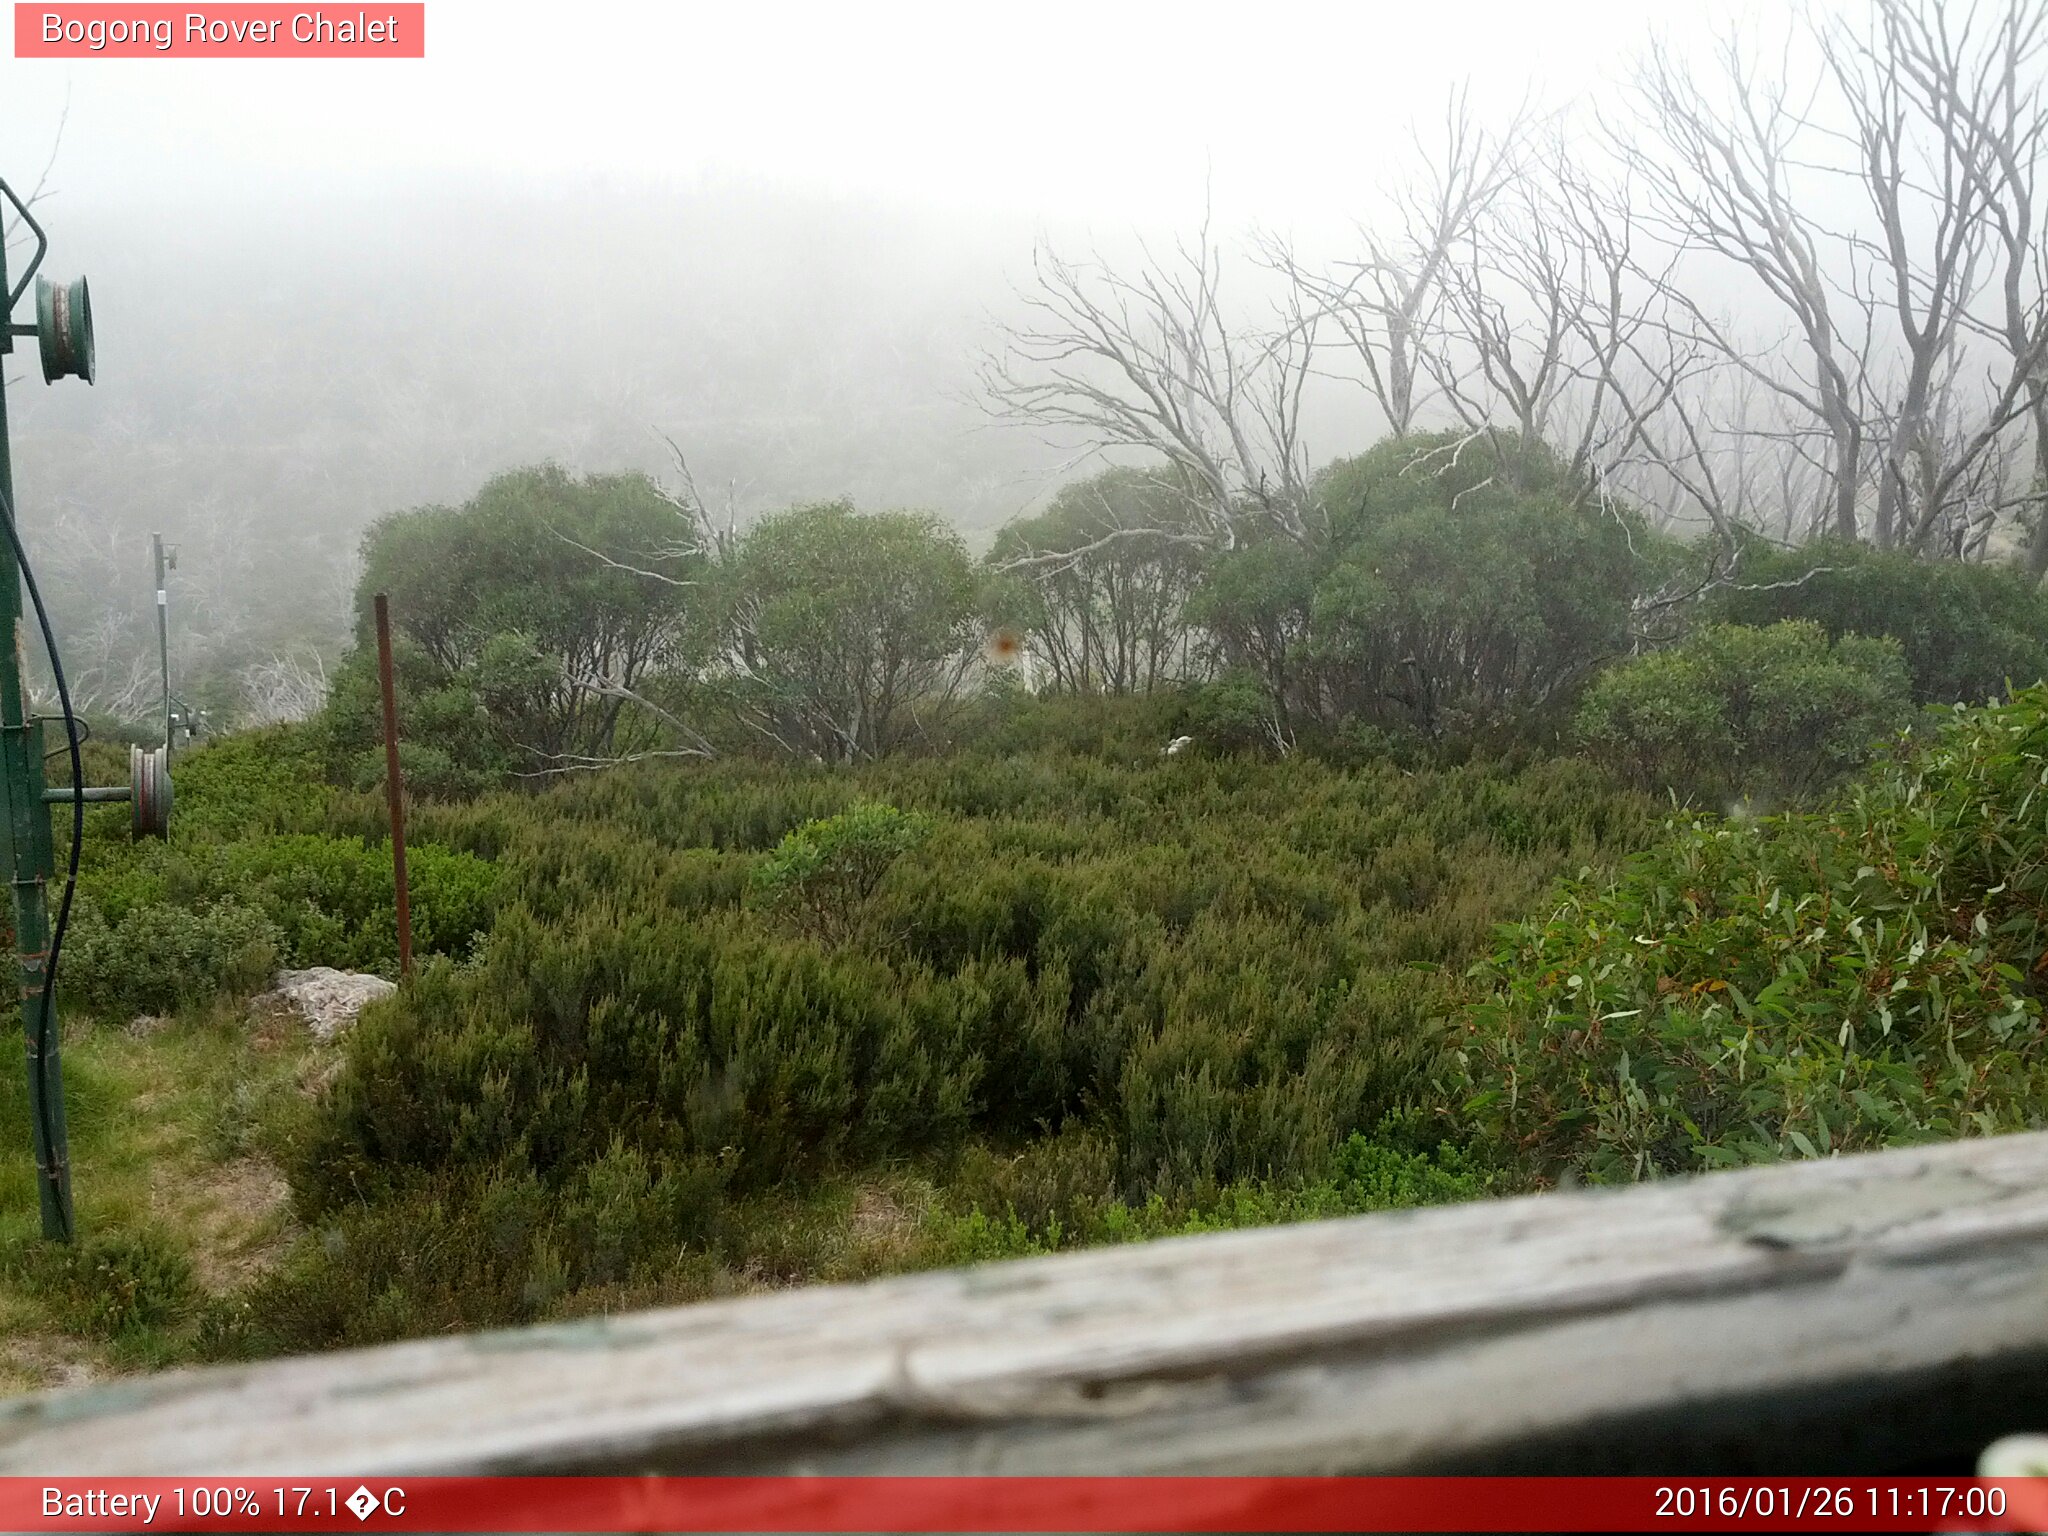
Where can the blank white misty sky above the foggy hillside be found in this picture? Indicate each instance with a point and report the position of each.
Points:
(1062, 112)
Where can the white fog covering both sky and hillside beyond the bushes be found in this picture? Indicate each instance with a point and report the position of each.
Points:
(335, 290)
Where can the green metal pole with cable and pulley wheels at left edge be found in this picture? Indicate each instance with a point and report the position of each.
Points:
(30, 863)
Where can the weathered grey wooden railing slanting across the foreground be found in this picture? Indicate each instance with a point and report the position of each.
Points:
(1867, 1314)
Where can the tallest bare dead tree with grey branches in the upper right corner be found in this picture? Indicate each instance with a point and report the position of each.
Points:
(1932, 120)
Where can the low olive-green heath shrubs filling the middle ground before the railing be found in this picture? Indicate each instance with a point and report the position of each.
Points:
(1175, 988)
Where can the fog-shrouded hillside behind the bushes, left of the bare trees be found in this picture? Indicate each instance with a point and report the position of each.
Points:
(271, 388)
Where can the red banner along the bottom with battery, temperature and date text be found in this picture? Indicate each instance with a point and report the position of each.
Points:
(1017, 1504)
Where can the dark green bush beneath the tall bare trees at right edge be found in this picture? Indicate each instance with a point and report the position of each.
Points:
(1967, 630)
